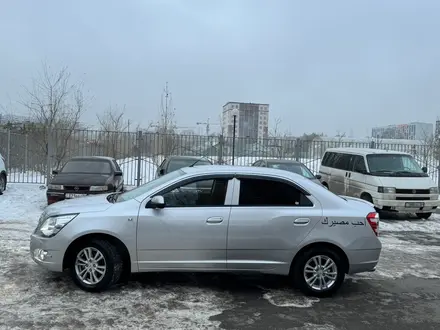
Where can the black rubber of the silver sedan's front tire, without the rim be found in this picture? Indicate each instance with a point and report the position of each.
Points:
(106, 249)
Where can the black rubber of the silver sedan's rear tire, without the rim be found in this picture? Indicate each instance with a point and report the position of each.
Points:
(298, 271)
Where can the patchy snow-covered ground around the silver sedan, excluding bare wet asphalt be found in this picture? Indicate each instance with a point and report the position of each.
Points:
(32, 297)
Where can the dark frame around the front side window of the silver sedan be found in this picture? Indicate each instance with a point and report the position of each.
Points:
(191, 179)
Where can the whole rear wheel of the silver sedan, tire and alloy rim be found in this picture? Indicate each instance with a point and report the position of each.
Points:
(305, 266)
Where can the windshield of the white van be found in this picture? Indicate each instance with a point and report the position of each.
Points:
(394, 165)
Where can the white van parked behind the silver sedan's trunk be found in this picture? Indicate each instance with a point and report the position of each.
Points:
(391, 180)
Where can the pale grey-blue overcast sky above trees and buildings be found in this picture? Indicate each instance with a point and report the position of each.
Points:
(323, 66)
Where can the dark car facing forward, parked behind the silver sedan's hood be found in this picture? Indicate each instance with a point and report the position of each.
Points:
(82, 176)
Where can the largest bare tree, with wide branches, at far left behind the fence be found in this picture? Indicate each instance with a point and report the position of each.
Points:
(56, 106)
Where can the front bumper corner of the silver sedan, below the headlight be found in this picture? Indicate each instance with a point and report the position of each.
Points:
(44, 254)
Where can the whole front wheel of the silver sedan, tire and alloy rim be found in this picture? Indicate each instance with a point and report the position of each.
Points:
(96, 265)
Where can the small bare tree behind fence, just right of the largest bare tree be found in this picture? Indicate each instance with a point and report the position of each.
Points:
(113, 126)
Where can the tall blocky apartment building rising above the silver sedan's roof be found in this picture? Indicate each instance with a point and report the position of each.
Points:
(252, 120)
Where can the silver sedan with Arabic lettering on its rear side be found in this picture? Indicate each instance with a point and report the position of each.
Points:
(251, 219)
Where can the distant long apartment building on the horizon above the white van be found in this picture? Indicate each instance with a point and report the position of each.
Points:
(411, 131)
